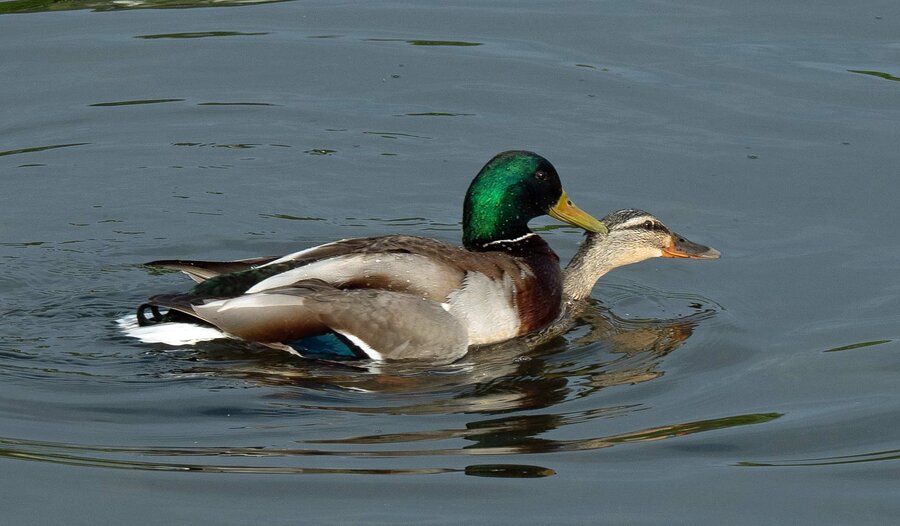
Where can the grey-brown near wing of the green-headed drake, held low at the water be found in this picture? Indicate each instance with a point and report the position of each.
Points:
(384, 324)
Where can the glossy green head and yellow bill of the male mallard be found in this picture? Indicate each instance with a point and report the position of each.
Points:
(513, 188)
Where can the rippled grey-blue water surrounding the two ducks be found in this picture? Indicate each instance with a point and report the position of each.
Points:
(762, 387)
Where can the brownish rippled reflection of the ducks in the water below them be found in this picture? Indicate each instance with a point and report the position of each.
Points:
(488, 390)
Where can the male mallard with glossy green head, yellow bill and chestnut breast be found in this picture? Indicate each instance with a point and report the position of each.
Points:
(401, 297)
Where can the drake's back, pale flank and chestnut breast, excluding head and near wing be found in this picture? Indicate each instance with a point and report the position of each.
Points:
(504, 291)
